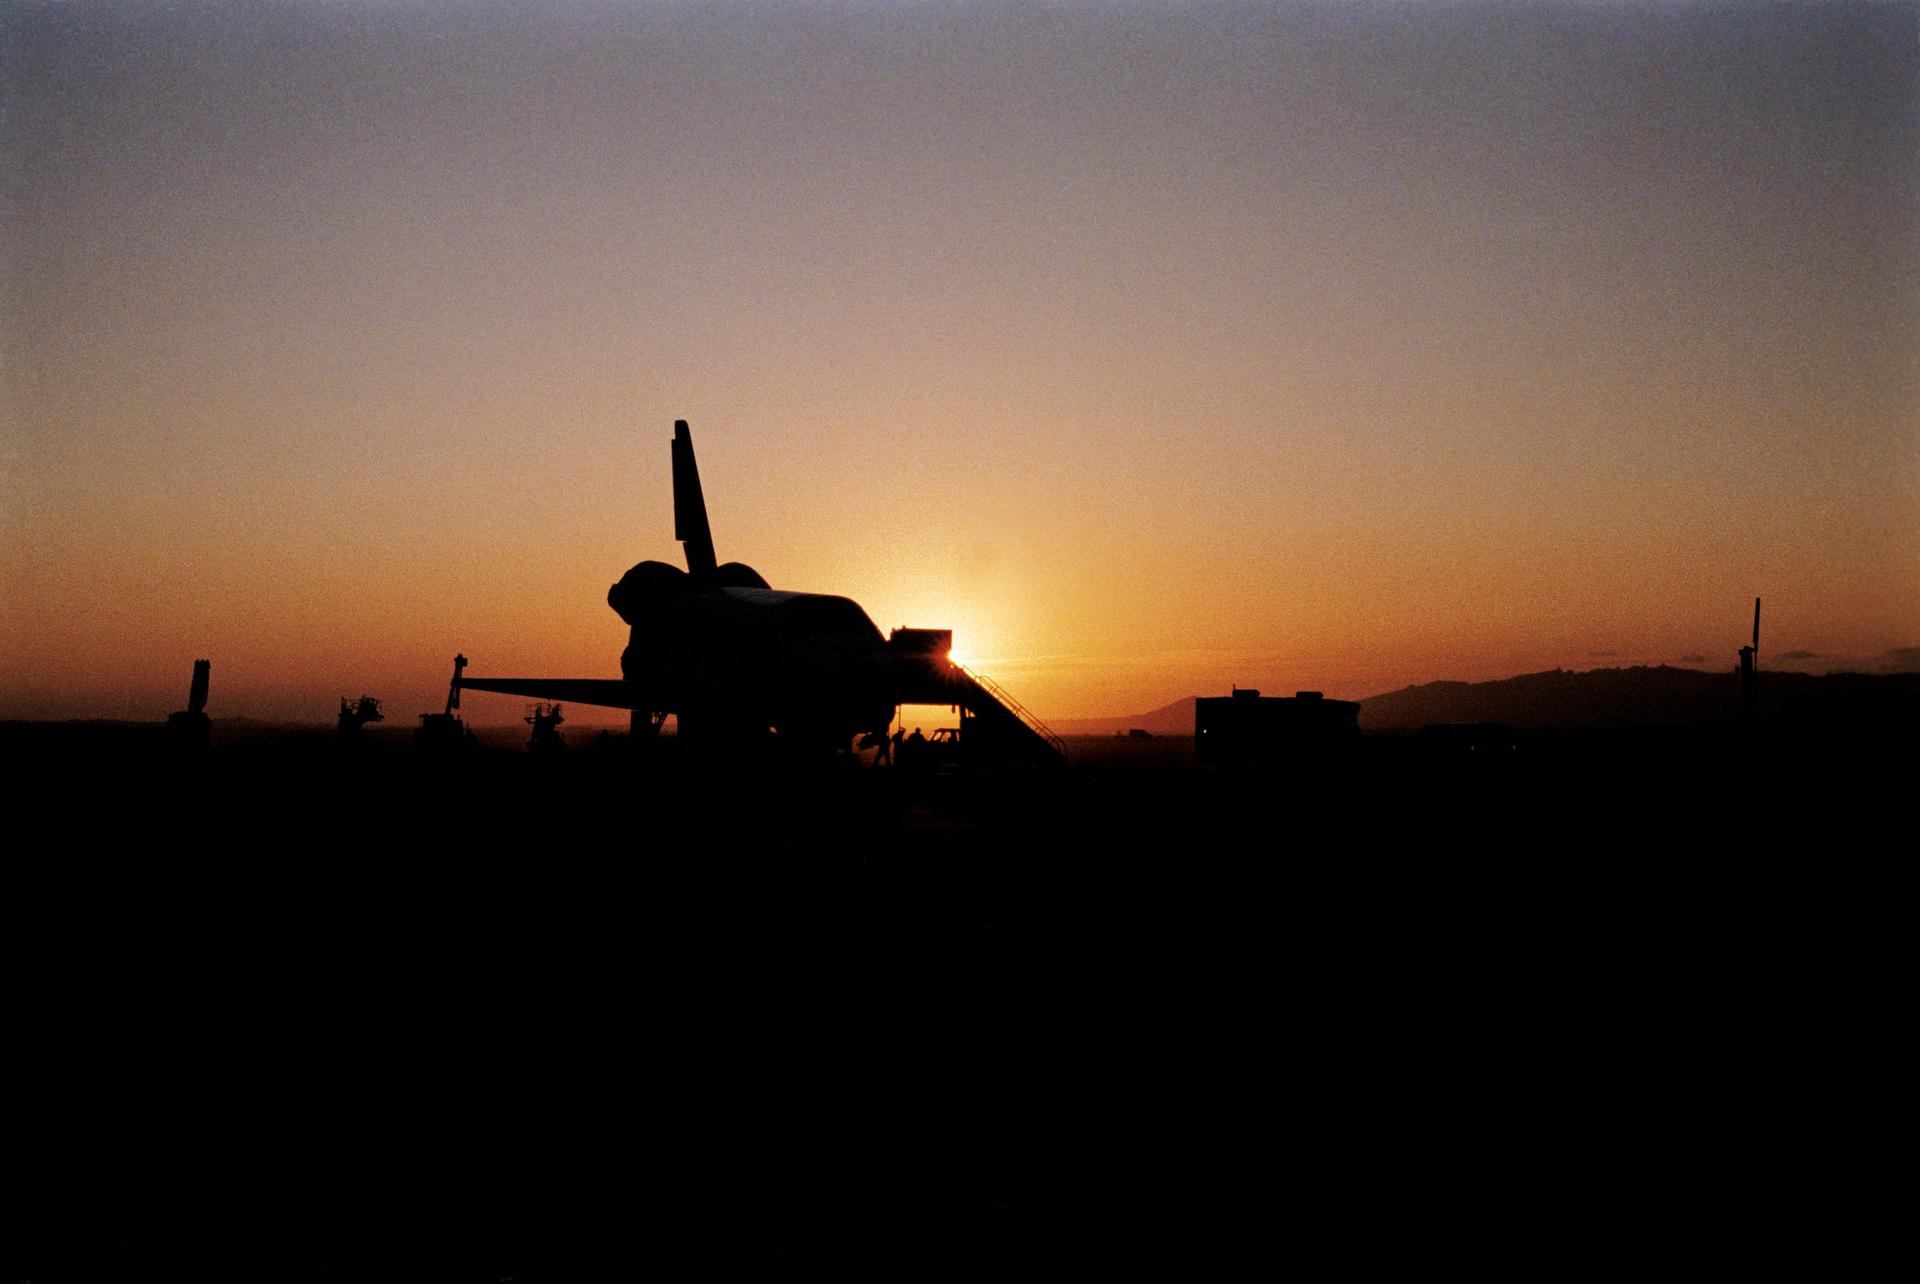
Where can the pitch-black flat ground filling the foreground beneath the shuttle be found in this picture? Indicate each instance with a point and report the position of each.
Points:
(1610, 1003)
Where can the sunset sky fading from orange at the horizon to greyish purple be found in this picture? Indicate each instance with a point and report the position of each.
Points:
(1147, 346)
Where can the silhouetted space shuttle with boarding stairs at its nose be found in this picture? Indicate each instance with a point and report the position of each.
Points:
(740, 663)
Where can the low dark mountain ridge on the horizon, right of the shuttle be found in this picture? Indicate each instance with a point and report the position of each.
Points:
(1596, 700)
